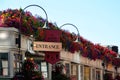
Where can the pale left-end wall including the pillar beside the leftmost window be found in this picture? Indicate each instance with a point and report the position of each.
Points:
(7, 43)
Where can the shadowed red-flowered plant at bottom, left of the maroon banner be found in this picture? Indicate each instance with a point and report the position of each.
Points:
(28, 72)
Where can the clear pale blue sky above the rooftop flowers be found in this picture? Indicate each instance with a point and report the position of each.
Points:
(98, 21)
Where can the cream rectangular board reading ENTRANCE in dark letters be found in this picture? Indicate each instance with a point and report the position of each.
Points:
(47, 46)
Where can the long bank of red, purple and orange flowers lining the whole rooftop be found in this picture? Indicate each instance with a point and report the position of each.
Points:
(32, 25)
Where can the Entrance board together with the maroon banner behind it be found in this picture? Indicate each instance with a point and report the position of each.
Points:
(52, 45)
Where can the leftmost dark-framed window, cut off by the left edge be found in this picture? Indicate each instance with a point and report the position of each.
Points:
(3, 64)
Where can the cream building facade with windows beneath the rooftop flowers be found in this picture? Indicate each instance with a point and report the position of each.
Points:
(75, 65)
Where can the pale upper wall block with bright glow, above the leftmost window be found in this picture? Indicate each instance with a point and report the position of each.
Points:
(8, 39)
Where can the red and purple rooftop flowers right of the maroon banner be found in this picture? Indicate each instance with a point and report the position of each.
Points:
(87, 48)
